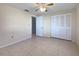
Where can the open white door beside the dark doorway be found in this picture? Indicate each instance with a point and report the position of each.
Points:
(39, 26)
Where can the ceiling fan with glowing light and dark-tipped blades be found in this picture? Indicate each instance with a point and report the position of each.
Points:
(43, 7)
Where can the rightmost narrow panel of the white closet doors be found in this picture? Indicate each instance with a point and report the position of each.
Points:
(68, 19)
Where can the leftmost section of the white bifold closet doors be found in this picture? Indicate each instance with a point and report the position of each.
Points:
(54, 26)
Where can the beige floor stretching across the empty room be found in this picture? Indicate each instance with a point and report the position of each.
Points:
(41, 47)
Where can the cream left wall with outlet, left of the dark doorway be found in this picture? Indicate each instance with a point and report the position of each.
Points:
(15, 25)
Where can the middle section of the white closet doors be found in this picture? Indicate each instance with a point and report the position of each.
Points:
(62, 28)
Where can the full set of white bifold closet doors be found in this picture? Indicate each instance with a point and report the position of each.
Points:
(61, 26)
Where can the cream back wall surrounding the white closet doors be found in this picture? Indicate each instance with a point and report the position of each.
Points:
(47, 20)
